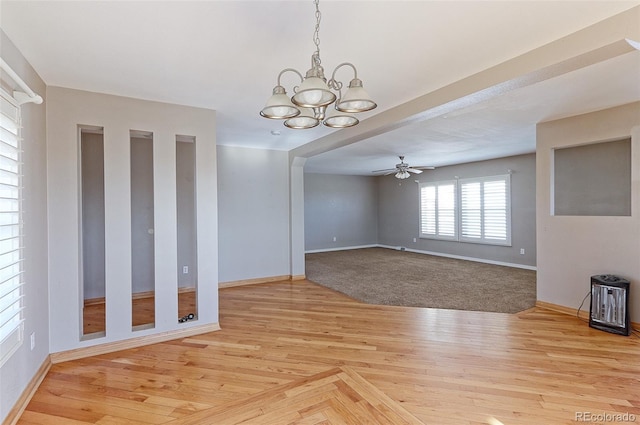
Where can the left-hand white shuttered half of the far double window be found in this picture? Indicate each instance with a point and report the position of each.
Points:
(438, 210)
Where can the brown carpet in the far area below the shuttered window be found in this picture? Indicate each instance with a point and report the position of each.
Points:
(390, 277)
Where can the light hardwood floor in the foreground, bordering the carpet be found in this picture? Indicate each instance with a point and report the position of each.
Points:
(297, 353)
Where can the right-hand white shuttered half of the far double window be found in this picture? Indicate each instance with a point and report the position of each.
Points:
(485, 210)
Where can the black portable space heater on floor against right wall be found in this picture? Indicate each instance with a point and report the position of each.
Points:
(610, 304)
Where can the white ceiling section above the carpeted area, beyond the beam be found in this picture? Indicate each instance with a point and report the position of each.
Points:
(500, 126)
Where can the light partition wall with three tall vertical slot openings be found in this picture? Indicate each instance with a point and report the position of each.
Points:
(66, 109)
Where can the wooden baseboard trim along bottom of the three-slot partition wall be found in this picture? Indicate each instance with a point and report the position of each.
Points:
(110, 347)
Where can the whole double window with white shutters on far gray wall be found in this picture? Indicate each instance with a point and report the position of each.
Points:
(469, 210)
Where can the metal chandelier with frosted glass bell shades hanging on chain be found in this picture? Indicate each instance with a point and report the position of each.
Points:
(307, 108)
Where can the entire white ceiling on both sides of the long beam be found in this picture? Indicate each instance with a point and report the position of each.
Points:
(226, 55)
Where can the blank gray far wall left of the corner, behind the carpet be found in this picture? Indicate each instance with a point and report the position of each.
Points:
(344, 207)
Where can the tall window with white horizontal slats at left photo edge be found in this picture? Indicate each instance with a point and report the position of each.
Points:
(11, 327)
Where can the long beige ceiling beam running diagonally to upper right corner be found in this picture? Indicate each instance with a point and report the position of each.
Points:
(600, 42)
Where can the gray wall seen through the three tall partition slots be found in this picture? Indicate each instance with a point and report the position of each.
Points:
(142, 215)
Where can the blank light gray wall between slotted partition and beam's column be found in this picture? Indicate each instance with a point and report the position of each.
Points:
(253, 211)
